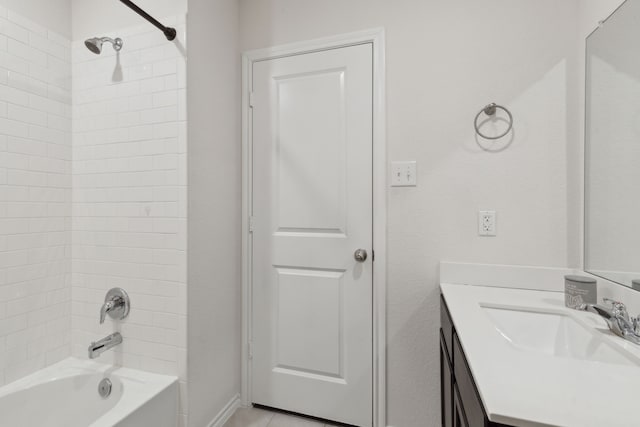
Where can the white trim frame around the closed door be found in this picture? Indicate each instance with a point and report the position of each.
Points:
(379, 209)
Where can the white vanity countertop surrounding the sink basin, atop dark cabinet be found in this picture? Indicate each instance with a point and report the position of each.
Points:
(530, 389)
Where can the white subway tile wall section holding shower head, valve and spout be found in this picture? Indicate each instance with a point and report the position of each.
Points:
(129, 197)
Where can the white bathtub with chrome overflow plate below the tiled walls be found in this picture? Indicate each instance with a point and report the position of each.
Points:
(66, 395)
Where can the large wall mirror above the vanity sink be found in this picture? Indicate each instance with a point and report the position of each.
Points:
(612, 151)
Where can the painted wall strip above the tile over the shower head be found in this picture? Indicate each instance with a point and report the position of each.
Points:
(95, 17)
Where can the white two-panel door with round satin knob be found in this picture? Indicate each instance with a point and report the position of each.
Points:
(312, 209)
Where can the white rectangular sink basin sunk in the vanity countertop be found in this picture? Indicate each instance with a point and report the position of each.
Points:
(555, 333)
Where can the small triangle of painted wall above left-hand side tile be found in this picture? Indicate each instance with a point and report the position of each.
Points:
(52, 14)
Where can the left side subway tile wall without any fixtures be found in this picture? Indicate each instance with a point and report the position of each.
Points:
(35, 197)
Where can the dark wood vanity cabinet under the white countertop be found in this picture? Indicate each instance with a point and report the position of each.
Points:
(460, 402)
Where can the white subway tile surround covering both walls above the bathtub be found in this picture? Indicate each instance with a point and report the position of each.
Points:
(92, 196)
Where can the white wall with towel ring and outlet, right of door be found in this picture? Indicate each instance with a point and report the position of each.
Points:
(446, 60)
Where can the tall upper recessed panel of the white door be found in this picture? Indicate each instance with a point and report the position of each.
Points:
(311, 196)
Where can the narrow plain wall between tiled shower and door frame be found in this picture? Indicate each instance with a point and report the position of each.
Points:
(214, 208)
